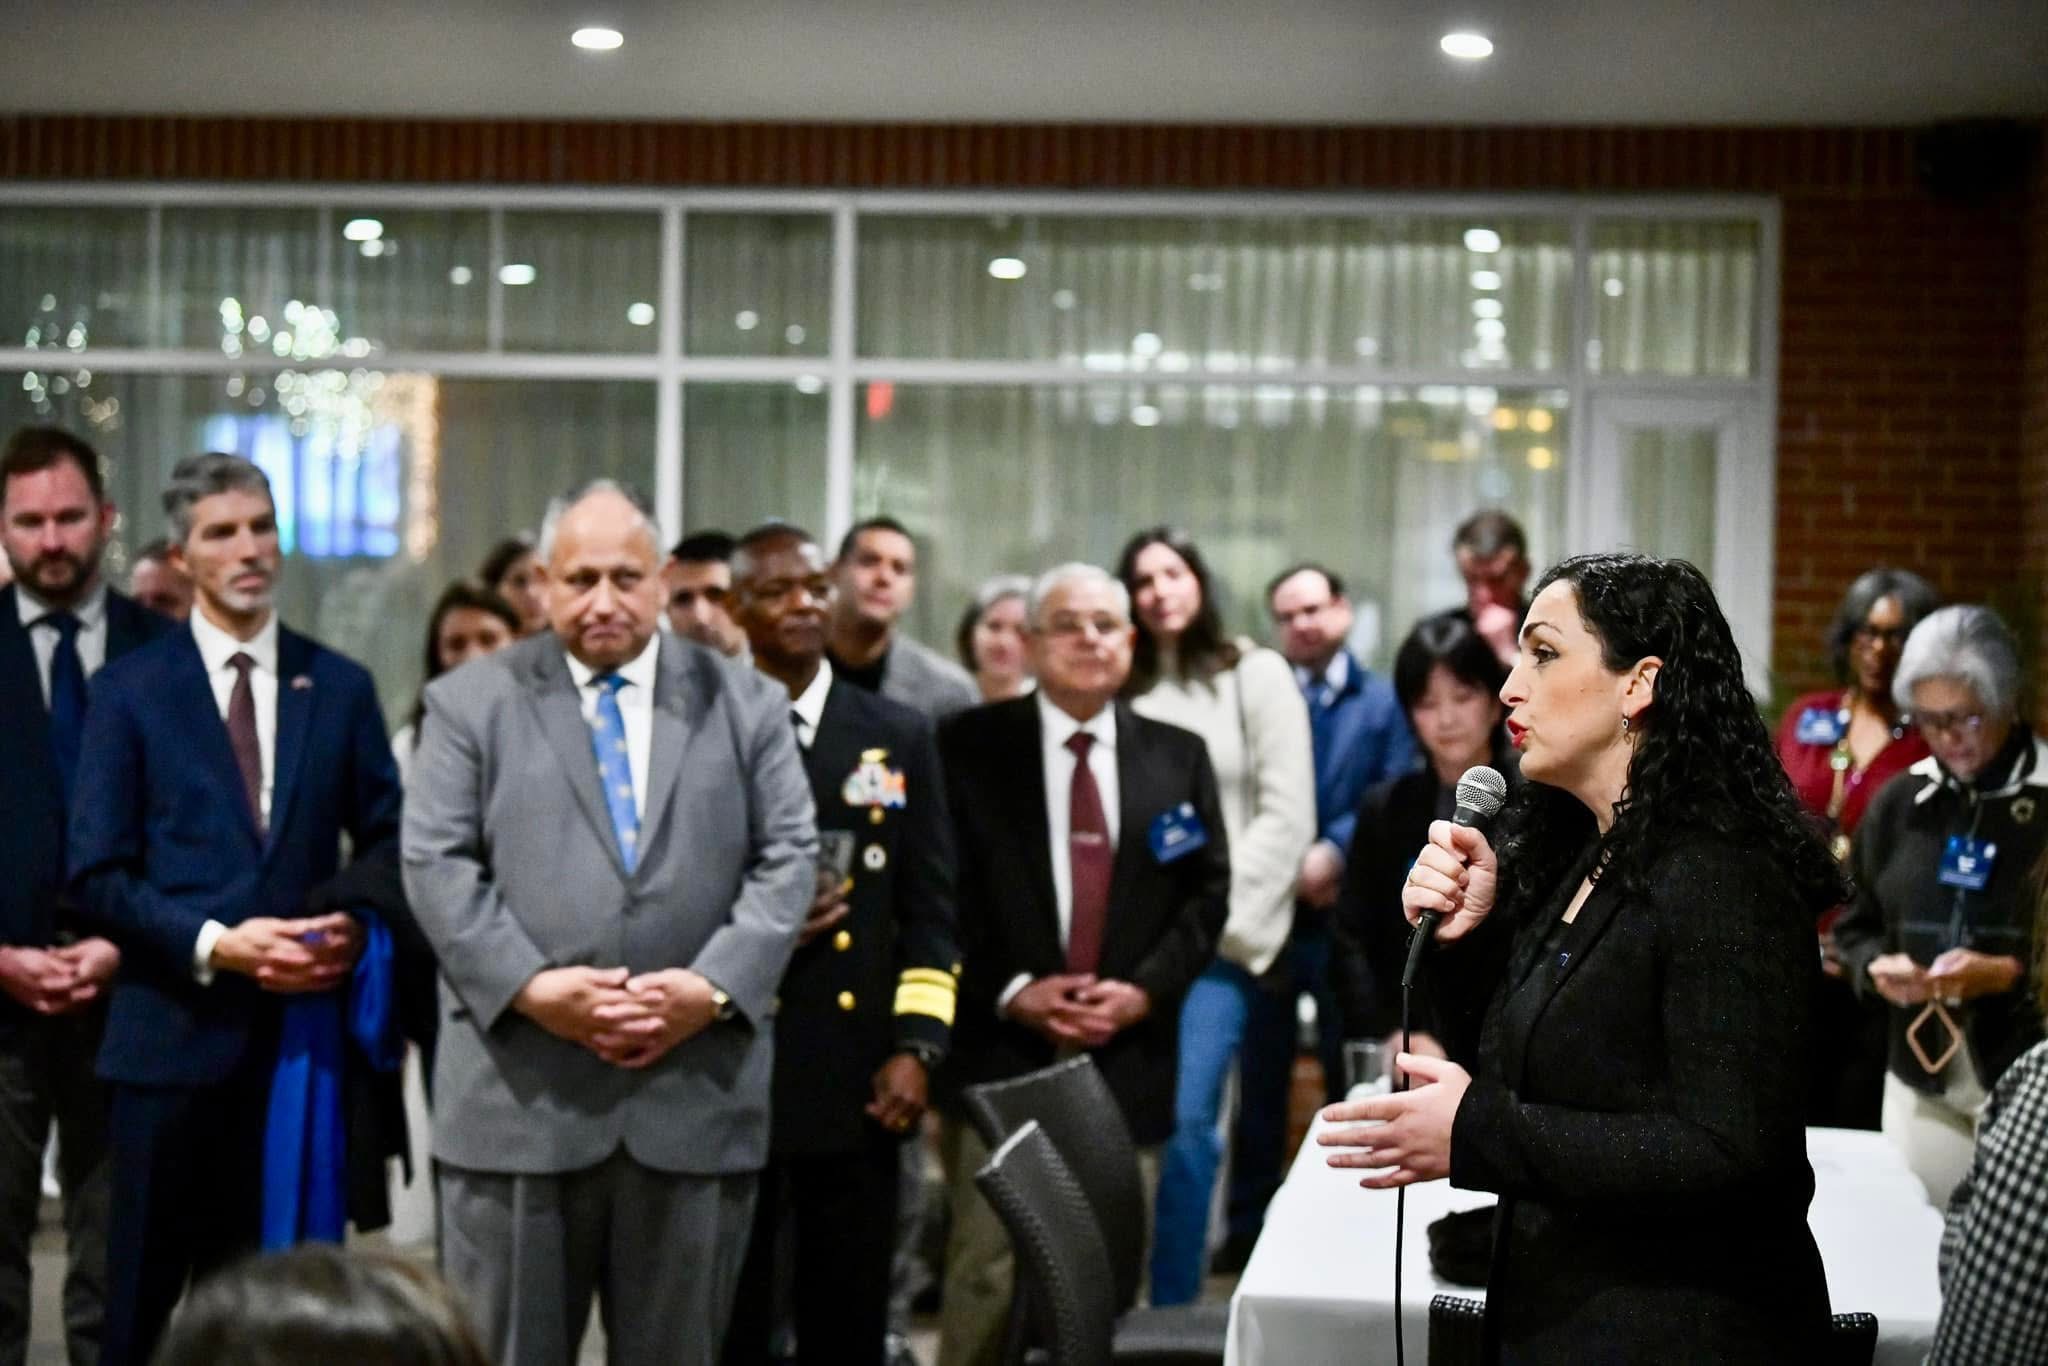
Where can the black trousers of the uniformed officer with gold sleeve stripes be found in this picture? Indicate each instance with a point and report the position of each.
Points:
(843, 1218)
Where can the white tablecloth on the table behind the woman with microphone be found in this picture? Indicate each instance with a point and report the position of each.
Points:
(1322, 1281)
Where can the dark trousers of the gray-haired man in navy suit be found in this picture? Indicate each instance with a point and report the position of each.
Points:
(187, 1170)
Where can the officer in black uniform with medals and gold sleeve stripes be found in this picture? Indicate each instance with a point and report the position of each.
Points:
(867, 1005)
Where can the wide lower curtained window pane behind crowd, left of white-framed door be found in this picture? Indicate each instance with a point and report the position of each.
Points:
(1369, 480)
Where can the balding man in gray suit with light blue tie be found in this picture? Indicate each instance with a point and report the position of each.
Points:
(609, 843)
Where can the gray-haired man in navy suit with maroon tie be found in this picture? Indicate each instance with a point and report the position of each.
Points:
(228, 761)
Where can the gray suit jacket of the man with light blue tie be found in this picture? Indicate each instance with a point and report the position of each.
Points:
(511, 867)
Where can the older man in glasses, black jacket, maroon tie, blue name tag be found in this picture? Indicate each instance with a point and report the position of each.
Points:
(1095, 884)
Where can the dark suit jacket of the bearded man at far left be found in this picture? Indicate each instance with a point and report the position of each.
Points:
(32, 806)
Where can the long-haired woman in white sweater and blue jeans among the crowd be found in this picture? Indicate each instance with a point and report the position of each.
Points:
(1248, 710)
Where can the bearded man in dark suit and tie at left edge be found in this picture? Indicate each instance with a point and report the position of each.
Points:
(58, 626)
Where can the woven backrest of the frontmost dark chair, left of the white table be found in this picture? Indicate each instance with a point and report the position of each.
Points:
(1058, 1250)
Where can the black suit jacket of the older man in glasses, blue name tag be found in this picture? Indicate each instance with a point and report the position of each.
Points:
(1164, 916)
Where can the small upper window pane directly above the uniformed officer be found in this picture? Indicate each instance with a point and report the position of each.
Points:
(759, 284)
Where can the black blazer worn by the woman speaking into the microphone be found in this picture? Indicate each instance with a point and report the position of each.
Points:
(1639, 1111)
